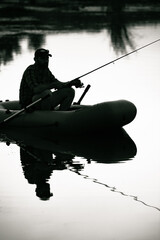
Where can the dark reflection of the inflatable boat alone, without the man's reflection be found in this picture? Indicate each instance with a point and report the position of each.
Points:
(112, 147)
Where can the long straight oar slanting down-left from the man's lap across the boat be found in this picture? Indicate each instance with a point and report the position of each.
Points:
(22, 110)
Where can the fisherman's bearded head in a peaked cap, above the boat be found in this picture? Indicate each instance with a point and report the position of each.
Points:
(41, 57)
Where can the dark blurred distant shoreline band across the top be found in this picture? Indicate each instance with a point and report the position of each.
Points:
(17, 18)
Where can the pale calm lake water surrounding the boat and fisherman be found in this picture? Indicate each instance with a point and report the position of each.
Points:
(94, 196)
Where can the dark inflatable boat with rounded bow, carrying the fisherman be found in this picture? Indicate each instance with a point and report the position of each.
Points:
(78, 120)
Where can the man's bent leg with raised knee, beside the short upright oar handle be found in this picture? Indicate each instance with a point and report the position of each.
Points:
(64, 97)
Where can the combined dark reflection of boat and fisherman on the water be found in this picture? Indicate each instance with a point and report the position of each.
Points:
(41, 154)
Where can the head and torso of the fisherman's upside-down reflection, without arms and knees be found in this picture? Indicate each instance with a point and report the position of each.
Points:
(37, 170)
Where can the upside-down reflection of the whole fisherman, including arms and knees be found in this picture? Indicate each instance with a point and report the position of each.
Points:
(38, 166)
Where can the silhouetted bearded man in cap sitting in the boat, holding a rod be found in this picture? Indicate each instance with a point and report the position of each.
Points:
(37, 81)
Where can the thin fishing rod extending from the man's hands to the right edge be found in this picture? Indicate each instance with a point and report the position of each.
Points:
(113, 61)
